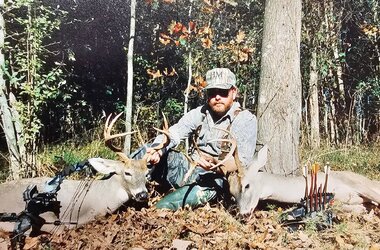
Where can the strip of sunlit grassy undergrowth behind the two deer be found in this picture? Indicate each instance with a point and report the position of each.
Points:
(52, 158)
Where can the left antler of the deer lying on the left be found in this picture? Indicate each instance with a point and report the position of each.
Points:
(108, 137)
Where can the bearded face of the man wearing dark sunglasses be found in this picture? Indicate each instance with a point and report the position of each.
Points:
(220, 100)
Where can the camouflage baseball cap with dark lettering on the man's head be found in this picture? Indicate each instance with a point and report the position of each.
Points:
(220, 78)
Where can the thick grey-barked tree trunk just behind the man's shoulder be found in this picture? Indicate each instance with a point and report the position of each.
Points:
(279, 107)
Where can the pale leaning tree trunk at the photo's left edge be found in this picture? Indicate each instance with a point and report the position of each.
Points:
(7, 118)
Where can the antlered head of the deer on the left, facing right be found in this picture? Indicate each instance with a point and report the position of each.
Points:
(131, 172)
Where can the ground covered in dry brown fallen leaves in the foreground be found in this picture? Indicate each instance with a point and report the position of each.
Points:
(214, 227)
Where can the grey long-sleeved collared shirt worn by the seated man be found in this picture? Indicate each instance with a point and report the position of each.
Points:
(243, 128)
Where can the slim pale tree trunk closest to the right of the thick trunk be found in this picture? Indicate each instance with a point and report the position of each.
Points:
(315, 138)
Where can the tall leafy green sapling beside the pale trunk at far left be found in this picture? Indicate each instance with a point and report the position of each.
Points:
(32, 80)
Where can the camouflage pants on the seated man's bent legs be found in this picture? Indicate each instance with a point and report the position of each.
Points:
(201, 187)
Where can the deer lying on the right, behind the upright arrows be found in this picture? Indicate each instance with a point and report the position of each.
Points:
(249, 186)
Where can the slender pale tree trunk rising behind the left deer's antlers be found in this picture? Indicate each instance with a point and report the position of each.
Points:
(129, 103)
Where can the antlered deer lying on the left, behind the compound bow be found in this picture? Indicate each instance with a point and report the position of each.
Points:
(82, 201)
